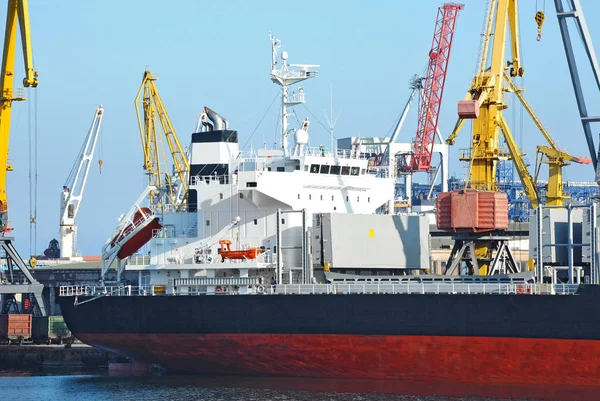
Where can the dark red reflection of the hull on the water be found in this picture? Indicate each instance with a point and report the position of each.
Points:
(371, 389)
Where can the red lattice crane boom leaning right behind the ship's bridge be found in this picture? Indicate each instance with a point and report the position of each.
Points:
(433, 86)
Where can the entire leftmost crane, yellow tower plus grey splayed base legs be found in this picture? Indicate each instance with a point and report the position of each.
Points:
(17, 14)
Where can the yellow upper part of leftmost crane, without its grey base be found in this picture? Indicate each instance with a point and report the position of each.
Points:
(17, 14)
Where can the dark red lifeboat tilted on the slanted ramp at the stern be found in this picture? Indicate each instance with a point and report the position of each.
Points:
(144, 227)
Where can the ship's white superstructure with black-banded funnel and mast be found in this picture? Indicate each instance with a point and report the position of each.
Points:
(261, 199)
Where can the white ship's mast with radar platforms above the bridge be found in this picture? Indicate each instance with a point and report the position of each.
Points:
(285, 77)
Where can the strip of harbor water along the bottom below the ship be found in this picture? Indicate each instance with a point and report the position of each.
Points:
(97, 385)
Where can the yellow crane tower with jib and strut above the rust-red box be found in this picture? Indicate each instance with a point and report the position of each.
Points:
(484, 102)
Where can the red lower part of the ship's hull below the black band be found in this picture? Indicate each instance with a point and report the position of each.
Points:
(413, 358)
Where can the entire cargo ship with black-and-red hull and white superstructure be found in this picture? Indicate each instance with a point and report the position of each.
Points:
(285, 262)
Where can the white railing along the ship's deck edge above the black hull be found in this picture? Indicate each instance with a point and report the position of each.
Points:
(309, 289)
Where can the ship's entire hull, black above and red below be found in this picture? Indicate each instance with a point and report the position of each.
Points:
(519, 338)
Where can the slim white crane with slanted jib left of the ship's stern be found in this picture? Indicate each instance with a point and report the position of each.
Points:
(72, 191)
